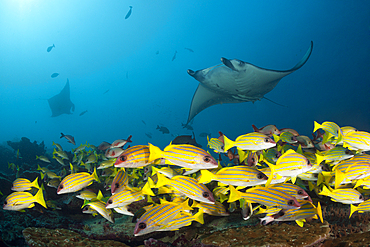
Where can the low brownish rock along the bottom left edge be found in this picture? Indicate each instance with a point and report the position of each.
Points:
(62, 237)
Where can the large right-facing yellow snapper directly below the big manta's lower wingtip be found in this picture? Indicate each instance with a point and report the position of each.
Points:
(183, 155)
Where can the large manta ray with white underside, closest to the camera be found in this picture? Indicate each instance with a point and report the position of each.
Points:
(235, 81)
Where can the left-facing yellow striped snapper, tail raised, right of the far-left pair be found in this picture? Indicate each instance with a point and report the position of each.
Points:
(76, 181)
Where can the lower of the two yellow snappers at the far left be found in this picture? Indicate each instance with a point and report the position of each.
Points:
(17, 201)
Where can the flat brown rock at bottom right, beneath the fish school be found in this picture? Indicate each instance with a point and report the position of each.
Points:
(271, 235)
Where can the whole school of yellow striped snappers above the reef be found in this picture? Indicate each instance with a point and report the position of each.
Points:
(270, 172)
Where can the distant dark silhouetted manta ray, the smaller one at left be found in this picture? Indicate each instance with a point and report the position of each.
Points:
(61, 103)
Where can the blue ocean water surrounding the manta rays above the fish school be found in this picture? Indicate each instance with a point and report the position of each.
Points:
(98, 50)
